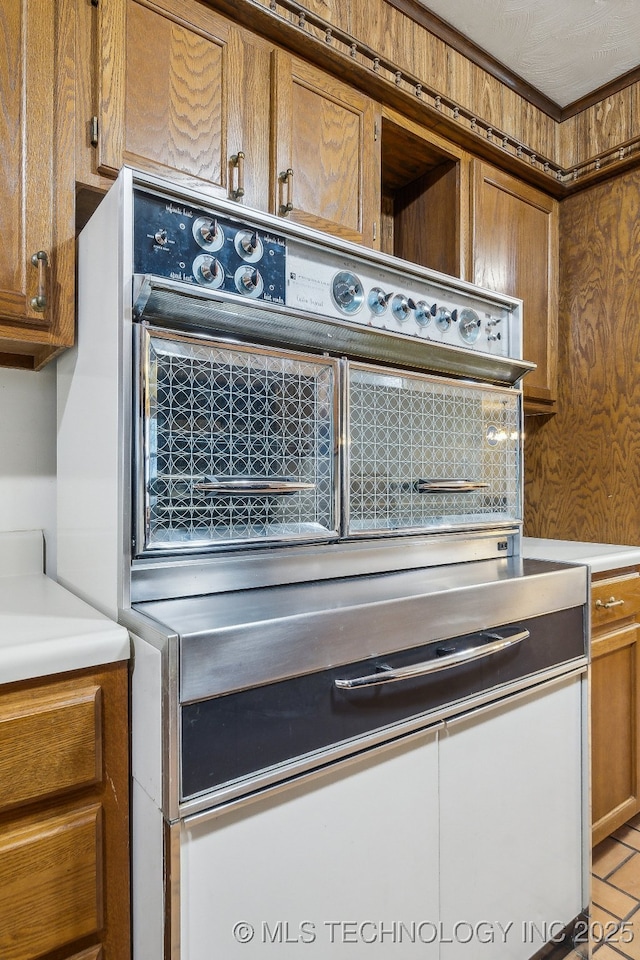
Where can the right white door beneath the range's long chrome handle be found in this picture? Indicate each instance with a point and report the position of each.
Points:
(512, 855)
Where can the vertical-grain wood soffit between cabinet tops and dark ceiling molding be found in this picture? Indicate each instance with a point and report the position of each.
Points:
(581, 145)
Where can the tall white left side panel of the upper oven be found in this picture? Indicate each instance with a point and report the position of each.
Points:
(89, 441)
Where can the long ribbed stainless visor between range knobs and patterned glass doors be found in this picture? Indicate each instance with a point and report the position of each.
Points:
(164, 302)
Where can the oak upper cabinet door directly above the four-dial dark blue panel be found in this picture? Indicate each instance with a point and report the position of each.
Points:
(184, 92)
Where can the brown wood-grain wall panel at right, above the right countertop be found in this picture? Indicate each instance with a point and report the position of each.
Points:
(582, 467)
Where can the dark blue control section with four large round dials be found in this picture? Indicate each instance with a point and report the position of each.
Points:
(180, 242)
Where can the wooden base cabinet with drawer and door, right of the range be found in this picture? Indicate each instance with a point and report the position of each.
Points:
(615, 700)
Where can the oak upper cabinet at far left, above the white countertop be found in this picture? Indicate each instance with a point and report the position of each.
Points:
(37, 185)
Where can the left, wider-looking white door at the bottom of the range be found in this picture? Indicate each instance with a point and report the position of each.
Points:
(344, 864)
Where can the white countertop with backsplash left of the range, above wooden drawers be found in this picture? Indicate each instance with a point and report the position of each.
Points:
(45, 629)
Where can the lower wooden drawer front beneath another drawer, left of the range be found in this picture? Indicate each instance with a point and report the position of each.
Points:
(49, 877)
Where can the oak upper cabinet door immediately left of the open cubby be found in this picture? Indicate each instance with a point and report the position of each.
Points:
(327, 152)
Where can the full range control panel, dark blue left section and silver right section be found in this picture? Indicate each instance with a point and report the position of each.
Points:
(189, 244)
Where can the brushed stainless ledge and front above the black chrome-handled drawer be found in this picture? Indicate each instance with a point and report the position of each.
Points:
(246, 638)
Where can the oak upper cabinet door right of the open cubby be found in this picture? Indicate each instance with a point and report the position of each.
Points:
(515, 250)
